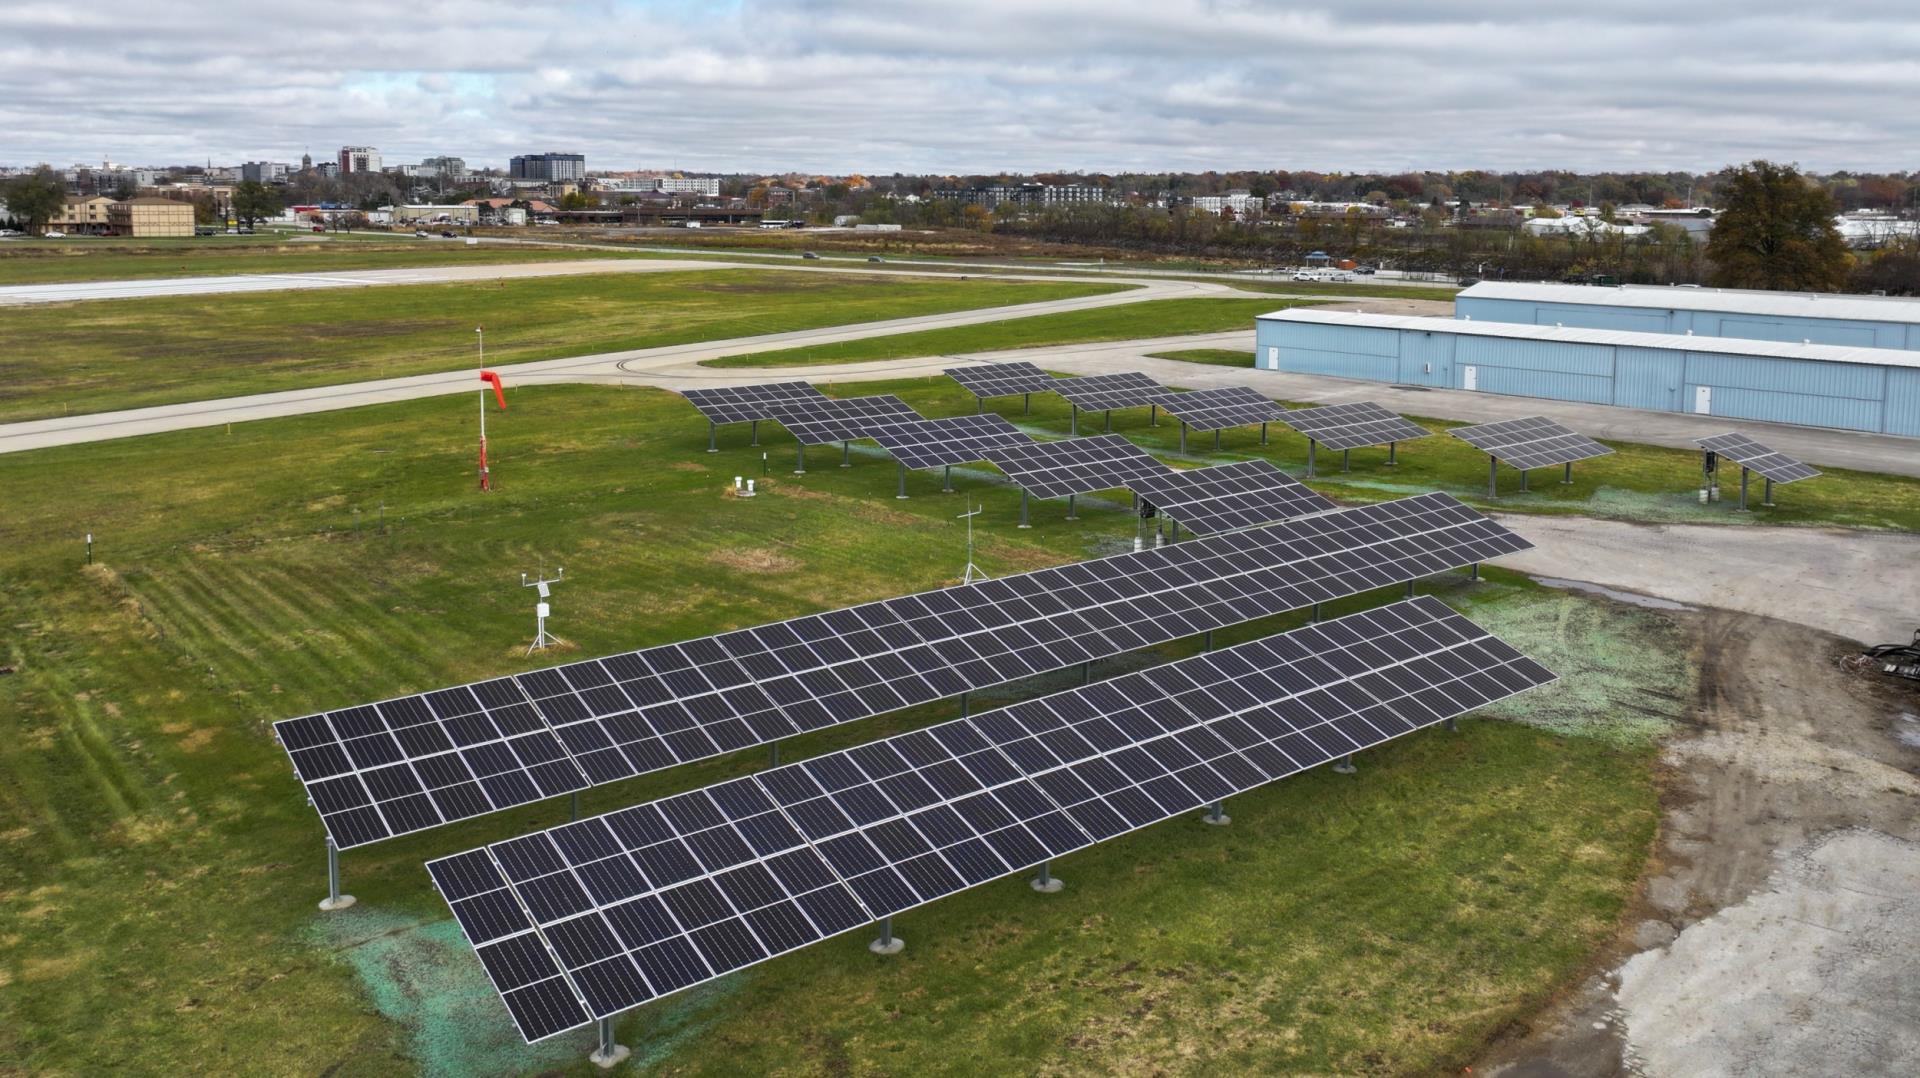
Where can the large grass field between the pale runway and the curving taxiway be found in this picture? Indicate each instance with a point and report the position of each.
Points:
(103, 356)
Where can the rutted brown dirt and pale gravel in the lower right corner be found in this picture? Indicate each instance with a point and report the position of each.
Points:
(1777, 925)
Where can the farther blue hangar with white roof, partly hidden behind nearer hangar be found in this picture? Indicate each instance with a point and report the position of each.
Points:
(1860, 322)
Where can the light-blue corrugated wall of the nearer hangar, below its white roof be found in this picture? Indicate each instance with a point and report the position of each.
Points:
(1852, 397)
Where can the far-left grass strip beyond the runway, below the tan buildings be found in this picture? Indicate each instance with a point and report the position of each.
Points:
(64, 262)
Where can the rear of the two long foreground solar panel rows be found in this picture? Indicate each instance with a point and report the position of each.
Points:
(418, 762)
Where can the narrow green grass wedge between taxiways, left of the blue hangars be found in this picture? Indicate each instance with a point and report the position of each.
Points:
(1128, 322)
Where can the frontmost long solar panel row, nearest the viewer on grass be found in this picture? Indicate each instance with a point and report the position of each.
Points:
(596, 918)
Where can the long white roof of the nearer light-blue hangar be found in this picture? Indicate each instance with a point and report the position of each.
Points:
(1612, 337)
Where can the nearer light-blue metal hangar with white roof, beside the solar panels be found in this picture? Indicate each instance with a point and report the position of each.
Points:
(1812, 385)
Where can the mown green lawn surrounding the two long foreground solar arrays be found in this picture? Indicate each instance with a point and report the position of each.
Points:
(158, 868)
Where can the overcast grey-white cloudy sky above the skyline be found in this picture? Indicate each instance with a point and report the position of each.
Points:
(972, 86)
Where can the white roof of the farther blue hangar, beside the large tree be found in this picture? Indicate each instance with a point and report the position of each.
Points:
(1727, 301)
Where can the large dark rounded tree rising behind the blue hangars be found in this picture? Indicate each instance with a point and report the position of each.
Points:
(1777, 232)
